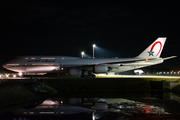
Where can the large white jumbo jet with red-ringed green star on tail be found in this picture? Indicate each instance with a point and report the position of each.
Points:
(88, 67)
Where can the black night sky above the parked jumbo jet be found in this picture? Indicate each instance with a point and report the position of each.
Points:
(119, 29)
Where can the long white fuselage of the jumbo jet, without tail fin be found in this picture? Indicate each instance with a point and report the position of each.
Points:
(29, 64)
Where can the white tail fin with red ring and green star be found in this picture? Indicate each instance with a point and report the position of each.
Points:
(154, 50)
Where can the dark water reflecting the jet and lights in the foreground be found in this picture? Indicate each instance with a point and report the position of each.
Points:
(81, 107)
